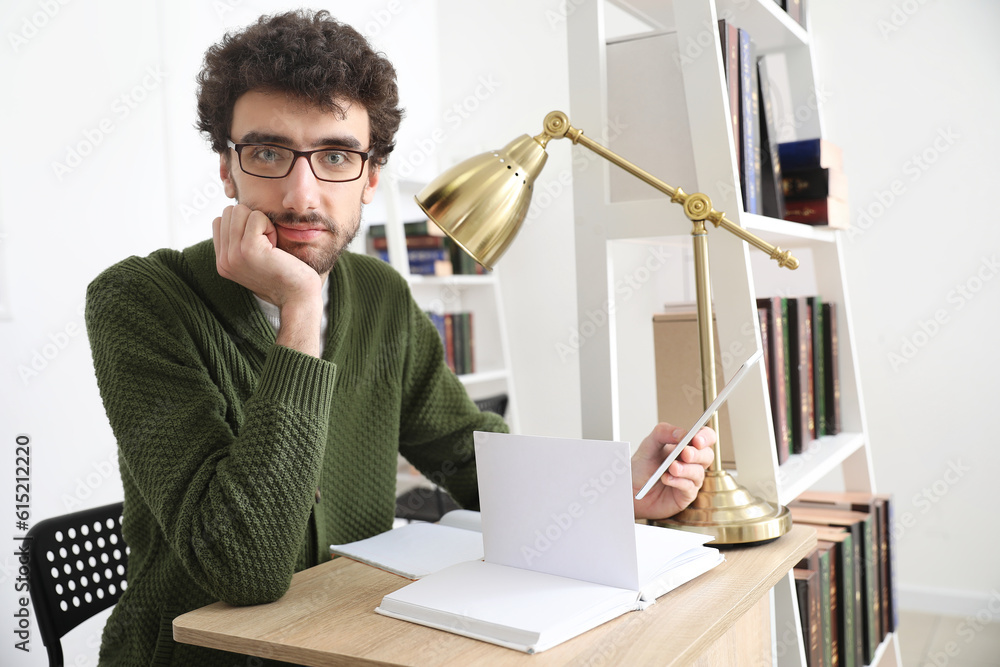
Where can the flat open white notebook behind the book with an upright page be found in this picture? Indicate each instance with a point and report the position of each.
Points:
(418, 549)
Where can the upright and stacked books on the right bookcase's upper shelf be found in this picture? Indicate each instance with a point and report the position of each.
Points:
(802, 181)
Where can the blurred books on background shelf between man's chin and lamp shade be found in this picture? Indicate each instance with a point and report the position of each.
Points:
(429, 252)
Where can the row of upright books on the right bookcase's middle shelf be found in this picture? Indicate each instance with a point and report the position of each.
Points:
(799, 337)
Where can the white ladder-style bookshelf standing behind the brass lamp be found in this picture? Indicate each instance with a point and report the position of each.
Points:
(658, 96)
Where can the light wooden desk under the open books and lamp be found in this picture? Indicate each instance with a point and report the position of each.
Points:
(327, 618)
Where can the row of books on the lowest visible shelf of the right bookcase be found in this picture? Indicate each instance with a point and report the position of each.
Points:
(846, 587)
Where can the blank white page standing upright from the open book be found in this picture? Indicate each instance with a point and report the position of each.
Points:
(558, 505)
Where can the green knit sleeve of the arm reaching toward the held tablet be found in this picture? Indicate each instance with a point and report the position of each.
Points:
(439, 418)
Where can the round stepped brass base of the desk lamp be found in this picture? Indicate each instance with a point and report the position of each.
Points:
(727, 511)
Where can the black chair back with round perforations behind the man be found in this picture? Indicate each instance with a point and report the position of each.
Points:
(77, 569)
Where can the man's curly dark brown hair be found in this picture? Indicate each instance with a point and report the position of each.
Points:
(307, 55)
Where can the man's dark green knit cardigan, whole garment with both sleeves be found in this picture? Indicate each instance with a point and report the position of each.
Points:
(242, 460)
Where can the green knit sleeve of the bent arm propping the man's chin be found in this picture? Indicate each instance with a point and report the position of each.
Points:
(232, 505)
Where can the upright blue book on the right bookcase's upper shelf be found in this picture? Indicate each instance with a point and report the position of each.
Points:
(750, 144)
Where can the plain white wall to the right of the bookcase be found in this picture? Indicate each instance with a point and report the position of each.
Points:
(912, 100)
